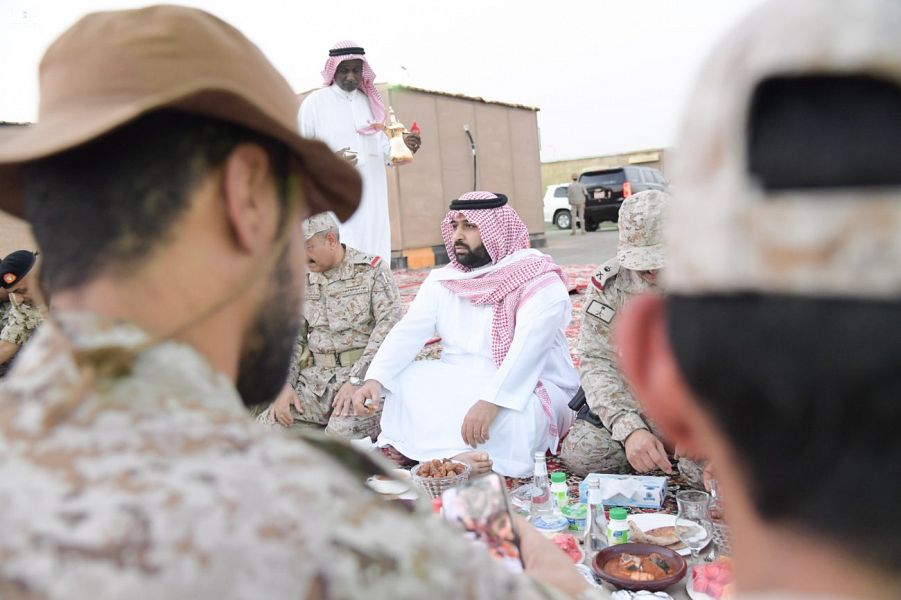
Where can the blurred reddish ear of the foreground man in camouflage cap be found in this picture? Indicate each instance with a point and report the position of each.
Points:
(649, 366)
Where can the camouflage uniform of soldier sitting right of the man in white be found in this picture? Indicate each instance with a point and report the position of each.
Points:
(590, 449)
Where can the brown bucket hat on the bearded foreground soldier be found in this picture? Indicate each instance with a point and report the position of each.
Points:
(112, 67)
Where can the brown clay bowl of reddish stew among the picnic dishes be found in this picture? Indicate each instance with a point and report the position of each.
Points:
(639, 567)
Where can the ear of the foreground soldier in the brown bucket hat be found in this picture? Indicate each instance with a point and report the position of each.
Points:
(247, 196)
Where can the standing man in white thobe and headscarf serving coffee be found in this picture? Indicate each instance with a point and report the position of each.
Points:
(345, 114)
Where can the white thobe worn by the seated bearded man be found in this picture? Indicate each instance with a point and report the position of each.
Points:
(426, 401)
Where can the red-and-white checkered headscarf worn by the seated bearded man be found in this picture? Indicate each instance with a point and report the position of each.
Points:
(507, 288)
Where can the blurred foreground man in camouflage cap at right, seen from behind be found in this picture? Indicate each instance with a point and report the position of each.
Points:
(777, 345)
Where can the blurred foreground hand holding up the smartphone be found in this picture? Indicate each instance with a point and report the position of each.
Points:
(546, 562)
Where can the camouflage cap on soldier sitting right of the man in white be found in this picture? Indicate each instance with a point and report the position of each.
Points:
(641, 230)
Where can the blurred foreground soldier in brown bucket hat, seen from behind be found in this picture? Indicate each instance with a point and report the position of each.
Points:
(165, 183)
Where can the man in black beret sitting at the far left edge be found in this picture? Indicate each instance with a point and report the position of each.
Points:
(19, 316)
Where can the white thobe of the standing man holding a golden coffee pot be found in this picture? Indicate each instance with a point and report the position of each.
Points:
(335, 117)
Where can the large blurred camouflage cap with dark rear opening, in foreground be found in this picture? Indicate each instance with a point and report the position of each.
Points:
(724, 232)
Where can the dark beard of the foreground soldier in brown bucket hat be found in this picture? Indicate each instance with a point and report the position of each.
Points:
(269, 346)
